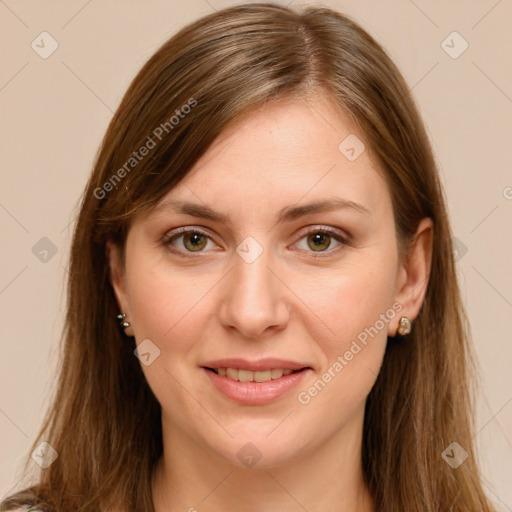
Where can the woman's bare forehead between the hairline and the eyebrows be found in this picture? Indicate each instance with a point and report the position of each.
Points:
(287, 152)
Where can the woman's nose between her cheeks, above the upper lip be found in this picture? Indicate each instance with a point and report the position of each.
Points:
(255, 299)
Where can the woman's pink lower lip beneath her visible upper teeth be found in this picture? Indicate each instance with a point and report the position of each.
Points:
(254, 393)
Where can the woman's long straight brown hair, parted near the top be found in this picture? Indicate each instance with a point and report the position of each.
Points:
(105, 422)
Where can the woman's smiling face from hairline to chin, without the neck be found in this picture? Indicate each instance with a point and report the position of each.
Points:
(263, 282)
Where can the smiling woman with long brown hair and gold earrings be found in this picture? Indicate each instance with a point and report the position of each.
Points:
(266, 223)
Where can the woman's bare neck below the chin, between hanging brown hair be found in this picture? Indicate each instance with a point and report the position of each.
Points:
(190, 477)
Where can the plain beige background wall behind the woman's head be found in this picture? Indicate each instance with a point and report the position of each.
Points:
(55, 111)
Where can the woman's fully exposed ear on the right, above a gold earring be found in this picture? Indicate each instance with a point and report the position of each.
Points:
(414, 272)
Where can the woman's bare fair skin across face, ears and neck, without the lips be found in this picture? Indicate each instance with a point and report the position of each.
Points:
(284, 304)
